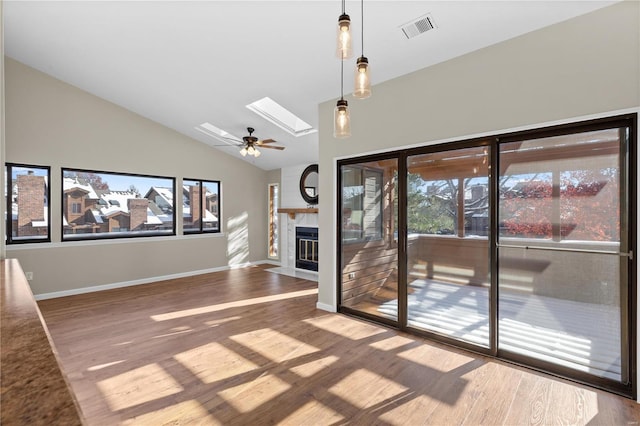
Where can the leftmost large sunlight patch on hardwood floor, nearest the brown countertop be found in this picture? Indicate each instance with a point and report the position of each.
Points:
(138, 386)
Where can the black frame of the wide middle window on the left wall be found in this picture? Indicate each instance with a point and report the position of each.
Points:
(113, 235)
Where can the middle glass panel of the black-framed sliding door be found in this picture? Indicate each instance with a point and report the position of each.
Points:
(447, 243)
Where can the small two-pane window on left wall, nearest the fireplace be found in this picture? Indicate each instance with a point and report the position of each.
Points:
(200, 206)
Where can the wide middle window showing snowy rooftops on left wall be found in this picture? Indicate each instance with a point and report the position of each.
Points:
(111, 205)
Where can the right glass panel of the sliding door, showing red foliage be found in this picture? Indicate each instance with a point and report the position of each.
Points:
(563, 251)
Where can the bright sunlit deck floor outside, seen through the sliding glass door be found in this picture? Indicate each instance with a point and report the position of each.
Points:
(555, 330)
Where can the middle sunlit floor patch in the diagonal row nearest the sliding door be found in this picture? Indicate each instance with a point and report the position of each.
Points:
(363, 388)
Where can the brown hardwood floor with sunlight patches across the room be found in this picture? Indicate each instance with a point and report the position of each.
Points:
(248, 347)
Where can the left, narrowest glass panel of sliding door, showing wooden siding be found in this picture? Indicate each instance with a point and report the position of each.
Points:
(369, 241)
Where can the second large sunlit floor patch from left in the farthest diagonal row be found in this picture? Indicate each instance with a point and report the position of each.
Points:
(213, 362)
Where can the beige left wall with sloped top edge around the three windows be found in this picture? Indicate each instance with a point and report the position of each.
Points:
(49, 122)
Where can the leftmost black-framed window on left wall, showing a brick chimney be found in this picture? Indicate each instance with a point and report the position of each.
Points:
(28, 213)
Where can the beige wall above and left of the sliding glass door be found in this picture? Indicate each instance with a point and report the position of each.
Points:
(586, 66)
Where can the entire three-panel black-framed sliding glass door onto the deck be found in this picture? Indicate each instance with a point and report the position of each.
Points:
(517, 246)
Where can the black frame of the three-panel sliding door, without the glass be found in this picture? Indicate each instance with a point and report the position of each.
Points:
(628, 179)
